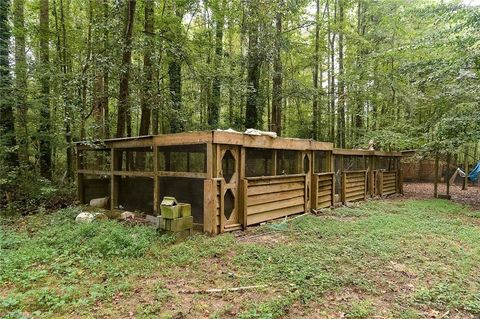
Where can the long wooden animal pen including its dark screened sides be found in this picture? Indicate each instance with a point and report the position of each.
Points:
(232, 180)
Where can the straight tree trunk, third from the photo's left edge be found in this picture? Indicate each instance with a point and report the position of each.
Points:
(44, 127)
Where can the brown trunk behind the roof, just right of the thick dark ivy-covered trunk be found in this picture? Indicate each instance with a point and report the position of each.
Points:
(277, 77)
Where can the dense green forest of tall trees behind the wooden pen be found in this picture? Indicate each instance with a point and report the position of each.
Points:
(405, 74)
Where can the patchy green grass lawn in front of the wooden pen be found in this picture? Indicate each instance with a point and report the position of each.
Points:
(402, 259)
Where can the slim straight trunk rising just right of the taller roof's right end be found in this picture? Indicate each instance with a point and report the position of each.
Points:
(341, 79)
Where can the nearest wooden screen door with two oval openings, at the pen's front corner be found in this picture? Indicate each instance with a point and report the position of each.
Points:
(228, 168)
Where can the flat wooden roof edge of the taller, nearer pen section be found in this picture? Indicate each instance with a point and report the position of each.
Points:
(215, 137)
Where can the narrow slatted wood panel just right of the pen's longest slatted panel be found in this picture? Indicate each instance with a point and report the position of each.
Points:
(323, 190)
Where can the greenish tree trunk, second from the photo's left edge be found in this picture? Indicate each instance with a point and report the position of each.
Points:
(21, 80)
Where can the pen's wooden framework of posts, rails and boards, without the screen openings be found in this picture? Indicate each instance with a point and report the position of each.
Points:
(256, 199)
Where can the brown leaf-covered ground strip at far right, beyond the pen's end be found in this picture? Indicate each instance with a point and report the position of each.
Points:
(470, 196)
